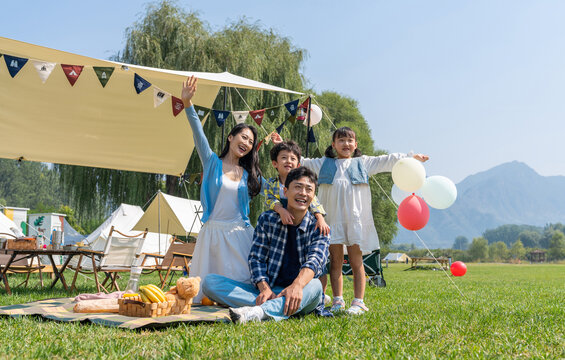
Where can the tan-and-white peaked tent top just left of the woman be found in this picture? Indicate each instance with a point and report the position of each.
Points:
(171, 215)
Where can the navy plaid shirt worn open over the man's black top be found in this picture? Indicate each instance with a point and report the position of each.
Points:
(267, 249)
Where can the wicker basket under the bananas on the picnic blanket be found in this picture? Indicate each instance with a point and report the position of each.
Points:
(133, 306)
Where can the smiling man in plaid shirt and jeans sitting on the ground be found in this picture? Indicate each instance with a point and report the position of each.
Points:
(285, 261)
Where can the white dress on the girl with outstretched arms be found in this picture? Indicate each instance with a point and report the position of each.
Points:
(348, 206)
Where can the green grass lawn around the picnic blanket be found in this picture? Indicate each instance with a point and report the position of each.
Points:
(509, 311)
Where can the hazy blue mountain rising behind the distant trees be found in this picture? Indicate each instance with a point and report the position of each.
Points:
(511, 193)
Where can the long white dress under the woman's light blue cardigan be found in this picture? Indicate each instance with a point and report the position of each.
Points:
(224, 241)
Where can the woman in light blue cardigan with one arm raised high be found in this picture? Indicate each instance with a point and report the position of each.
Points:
(229, 182)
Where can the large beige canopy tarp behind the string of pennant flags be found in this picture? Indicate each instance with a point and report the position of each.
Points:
(74, 117)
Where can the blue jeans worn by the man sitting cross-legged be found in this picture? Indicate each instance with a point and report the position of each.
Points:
(237, 294)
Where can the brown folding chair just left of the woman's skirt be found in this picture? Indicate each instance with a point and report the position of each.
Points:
(177, 258)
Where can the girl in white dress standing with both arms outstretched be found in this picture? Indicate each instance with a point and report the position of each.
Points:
(343, 177)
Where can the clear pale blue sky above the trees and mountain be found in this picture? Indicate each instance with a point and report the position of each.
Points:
(471, 83)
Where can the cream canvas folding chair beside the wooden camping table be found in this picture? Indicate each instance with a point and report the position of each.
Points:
(120, 252)
